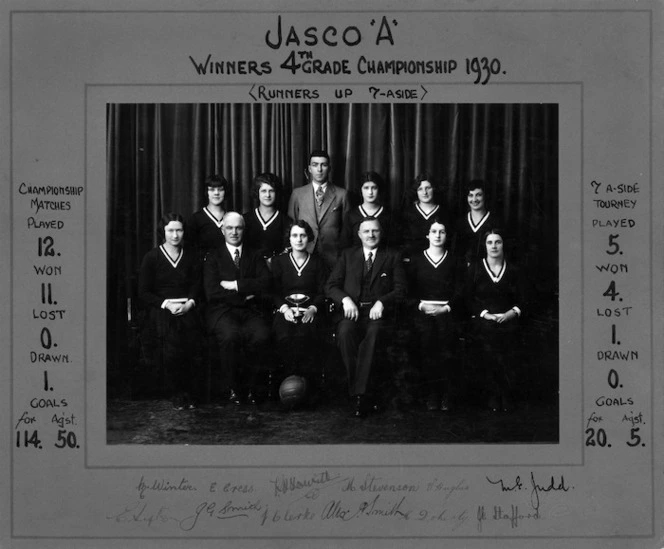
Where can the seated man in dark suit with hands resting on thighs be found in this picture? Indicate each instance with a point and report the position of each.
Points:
(365, 284)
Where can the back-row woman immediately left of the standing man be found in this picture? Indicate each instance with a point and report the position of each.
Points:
(265, 226)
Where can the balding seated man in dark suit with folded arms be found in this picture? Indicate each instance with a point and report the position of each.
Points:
(233, 275)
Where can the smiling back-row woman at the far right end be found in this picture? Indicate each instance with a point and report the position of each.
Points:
(469, 229)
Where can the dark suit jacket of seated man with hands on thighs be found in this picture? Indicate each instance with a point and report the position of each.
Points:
(387, 284)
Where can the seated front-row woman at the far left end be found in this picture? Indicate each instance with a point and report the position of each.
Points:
(170, 284)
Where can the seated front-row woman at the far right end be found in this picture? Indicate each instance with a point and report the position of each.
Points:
(497, 293)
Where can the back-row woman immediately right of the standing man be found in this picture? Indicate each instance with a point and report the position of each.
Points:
(372, 206)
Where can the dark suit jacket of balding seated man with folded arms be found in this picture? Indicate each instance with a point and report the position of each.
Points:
(253, 278)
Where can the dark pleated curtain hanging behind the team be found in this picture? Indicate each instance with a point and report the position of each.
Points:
(159, 155)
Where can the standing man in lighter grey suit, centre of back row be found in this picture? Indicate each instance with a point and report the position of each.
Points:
(322, 205)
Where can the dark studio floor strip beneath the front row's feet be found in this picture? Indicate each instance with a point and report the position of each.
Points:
(155, 422)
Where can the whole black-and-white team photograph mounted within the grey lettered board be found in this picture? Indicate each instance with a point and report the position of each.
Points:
(451, 336)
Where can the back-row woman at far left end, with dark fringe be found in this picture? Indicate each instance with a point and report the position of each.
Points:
(204, 226)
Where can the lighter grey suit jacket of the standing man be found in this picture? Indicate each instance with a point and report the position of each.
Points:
(326, 222)
